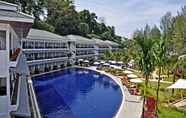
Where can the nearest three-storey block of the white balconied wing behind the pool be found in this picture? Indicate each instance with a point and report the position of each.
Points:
(45, 51)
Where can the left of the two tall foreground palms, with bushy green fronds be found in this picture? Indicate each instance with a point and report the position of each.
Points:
(146, 59)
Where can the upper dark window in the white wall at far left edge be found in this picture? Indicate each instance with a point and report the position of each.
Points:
(2, 40)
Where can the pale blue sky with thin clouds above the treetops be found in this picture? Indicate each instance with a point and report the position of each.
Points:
(129, 15)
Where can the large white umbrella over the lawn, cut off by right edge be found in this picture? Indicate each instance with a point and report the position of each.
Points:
(179, 84)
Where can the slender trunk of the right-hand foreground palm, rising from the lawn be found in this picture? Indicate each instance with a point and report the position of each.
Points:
(157, 91)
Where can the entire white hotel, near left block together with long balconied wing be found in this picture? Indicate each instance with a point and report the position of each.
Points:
(25, 51)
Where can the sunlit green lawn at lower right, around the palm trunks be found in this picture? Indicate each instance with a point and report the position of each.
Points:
(165, 97)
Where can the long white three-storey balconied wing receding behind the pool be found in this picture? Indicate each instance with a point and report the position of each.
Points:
(46, 51)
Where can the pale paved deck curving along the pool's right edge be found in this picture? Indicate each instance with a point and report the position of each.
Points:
(131, 106)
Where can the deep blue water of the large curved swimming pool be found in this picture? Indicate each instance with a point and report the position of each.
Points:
(77, 93)
